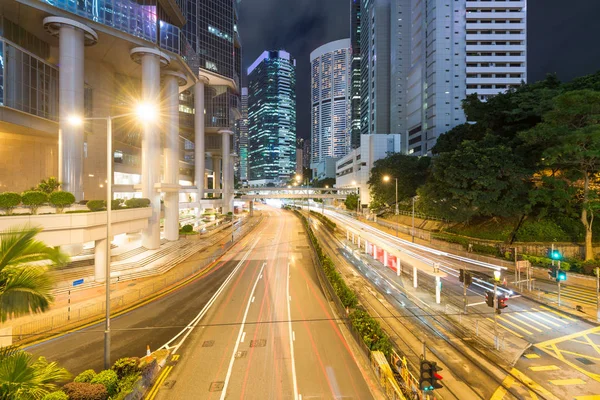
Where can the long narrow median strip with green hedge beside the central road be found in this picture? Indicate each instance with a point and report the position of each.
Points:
(366, 330)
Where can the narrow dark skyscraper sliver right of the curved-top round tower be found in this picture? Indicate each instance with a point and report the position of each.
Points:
(355, 93)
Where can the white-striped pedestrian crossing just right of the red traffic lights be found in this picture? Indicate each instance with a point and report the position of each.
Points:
(531, 323)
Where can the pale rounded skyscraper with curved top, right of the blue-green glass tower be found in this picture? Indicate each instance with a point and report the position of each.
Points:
(330, 101)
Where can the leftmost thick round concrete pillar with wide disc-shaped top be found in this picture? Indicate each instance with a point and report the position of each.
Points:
(73, 36)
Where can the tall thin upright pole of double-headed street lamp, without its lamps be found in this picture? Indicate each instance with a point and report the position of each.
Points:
(109, 161)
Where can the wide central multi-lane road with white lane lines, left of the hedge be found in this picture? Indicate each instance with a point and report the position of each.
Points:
(270, 334)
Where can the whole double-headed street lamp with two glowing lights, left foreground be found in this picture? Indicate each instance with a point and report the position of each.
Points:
(146, 113)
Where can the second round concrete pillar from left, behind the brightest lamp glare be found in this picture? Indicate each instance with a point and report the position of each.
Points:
(151, 60)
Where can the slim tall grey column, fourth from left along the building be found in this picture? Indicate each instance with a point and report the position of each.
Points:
(199, 139)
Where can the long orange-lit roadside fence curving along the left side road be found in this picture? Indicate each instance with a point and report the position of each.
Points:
(76, 315)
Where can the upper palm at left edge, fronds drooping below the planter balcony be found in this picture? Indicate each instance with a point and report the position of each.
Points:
(24, 281)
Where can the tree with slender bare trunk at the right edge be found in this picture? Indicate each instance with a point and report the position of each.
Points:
(569, 138)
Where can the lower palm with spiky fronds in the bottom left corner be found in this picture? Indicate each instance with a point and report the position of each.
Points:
(23, 377)
